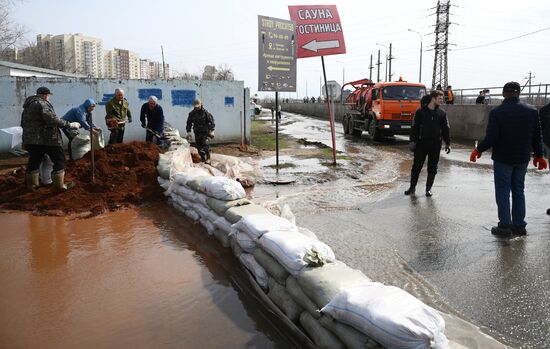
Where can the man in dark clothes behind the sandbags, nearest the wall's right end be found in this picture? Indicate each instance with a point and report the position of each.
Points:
(202, 123)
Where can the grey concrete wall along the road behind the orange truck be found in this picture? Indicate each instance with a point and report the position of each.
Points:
(468, 122)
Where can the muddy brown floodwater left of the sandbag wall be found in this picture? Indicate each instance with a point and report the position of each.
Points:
(138, 278)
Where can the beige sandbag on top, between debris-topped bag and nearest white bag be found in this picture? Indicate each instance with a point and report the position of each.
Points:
(323, 284)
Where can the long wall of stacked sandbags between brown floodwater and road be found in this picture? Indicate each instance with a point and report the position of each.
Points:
(335, 305)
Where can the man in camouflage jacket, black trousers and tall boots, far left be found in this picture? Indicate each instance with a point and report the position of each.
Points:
(41, 136)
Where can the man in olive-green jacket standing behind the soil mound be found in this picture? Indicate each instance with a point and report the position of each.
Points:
(118, 111)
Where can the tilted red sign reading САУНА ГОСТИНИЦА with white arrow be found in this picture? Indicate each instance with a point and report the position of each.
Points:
(318, 29)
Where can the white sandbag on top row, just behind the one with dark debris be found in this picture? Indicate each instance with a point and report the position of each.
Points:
(257, 225)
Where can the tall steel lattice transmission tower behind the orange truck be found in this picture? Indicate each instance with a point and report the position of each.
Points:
(442, 23)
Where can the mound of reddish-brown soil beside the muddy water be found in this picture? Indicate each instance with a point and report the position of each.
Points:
(125, 174)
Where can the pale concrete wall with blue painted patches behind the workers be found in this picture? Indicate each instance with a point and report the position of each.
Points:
(224, 99)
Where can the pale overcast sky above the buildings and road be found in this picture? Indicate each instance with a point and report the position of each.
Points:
(207, 32)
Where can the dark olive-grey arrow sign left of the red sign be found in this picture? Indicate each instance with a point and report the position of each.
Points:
(276, 54)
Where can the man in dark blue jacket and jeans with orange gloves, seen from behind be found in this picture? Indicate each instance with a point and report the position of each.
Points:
(513, 131)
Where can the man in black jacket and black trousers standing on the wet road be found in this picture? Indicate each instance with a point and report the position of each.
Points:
(430, 127)
